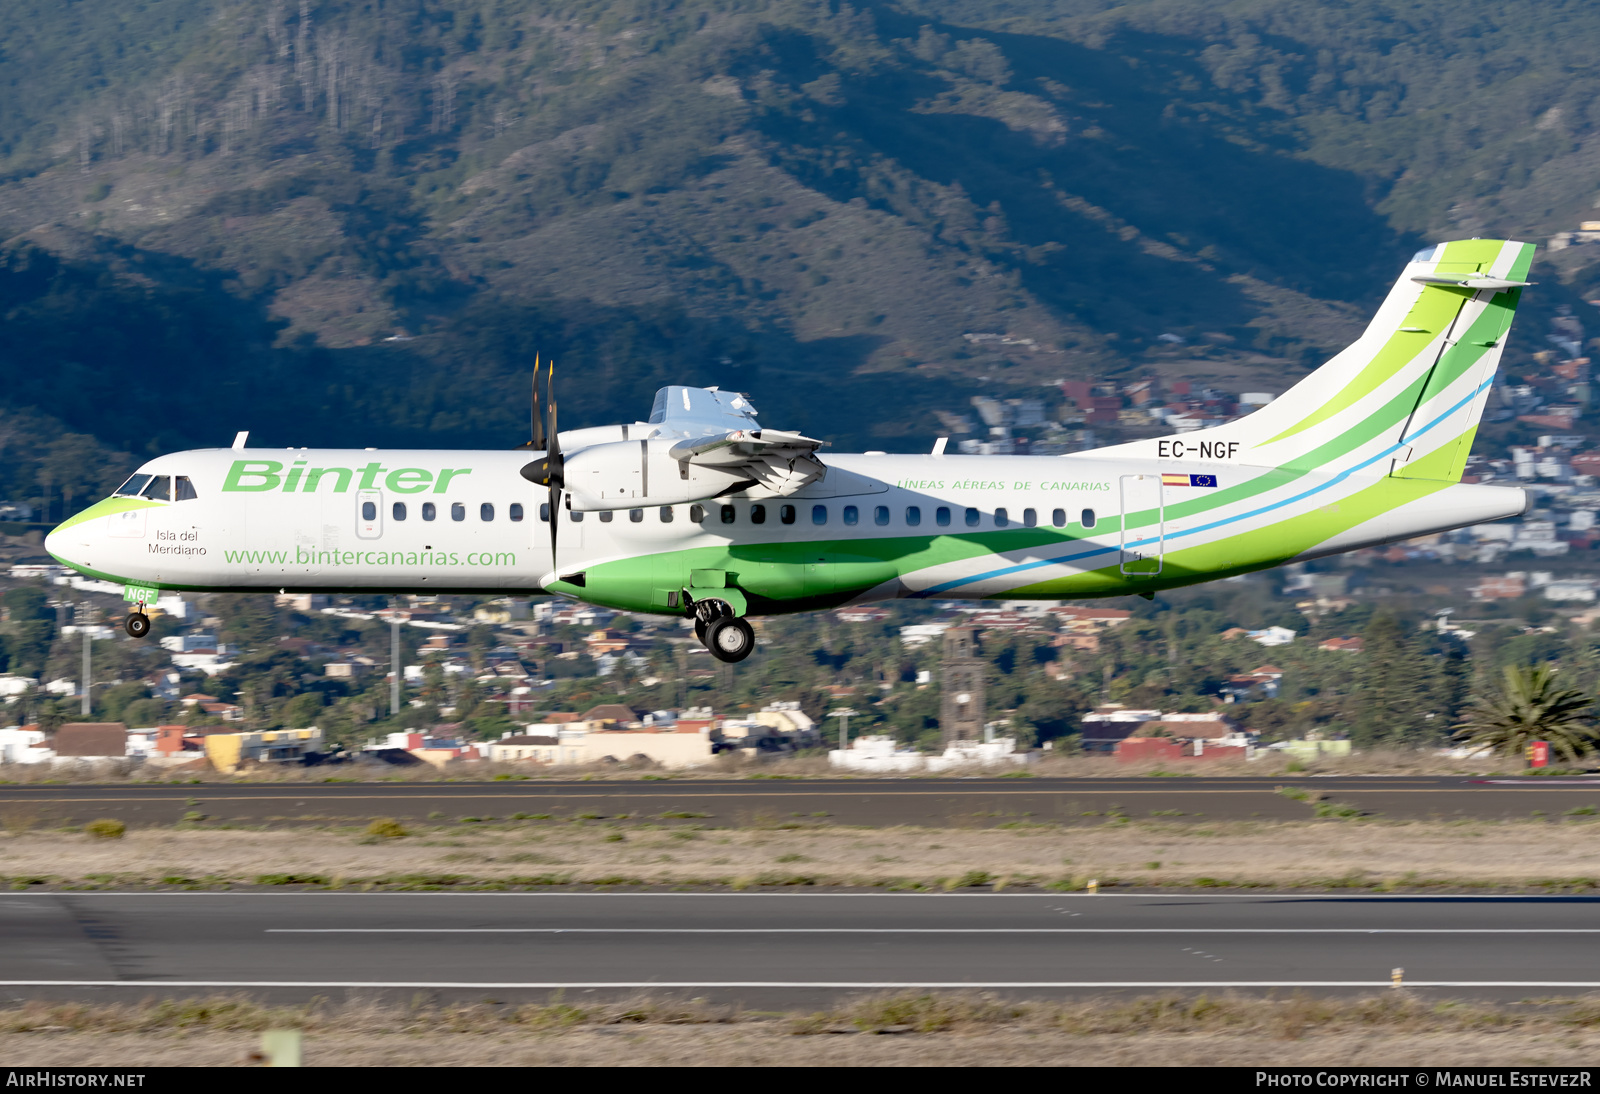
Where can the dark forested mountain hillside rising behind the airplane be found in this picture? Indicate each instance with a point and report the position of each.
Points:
(356, 222)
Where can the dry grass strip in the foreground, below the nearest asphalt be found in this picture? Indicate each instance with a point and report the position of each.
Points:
(1391, 1029)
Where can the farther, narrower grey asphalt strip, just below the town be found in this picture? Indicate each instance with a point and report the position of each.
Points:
(742, 802)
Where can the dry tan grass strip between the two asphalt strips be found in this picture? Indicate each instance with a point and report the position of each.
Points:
(1521, 855)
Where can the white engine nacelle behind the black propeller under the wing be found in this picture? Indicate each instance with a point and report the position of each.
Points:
(636, 474)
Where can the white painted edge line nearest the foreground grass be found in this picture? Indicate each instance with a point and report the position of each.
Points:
(801, 984)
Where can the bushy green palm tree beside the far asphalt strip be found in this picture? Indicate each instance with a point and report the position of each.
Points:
(1530, 708)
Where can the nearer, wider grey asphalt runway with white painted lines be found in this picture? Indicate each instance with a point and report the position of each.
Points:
(788, 949)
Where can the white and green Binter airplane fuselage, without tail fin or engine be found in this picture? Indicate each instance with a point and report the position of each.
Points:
(876, 527)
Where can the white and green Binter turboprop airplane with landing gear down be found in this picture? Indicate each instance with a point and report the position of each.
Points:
(705, 514)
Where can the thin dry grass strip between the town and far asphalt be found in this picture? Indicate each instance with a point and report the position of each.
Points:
(1388, 762)
